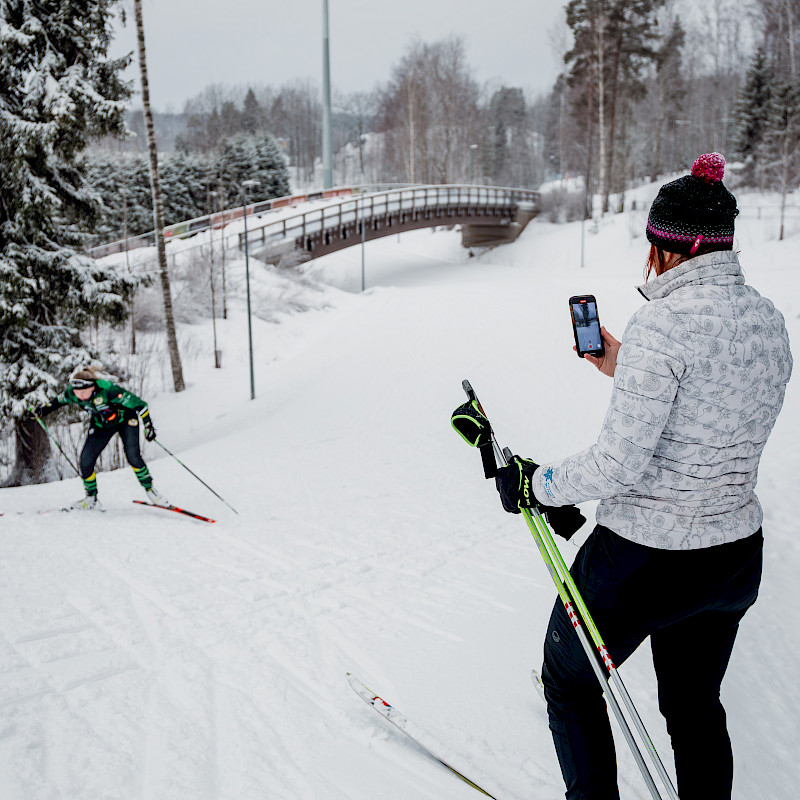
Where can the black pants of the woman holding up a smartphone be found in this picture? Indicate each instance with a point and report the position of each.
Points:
(690, 603)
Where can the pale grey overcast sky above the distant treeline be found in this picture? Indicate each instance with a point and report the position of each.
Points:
(194, 43)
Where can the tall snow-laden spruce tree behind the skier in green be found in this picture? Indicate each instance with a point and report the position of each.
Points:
(57, 87)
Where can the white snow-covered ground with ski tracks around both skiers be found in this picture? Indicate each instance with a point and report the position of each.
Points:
(143, 655)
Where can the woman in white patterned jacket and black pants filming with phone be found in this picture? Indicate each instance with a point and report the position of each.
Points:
(699, 380)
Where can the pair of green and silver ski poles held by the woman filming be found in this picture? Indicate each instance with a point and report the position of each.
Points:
(578, 614)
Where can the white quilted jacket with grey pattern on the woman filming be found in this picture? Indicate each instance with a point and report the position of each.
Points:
(700, 379)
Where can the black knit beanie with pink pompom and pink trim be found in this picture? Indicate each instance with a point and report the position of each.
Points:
(695, 210)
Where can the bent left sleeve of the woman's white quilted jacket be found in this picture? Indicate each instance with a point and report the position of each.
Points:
(651, 361)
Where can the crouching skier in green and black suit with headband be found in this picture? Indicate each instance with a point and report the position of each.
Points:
(111, 410)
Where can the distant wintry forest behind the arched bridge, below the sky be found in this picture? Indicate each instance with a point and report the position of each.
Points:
(645, 87)
